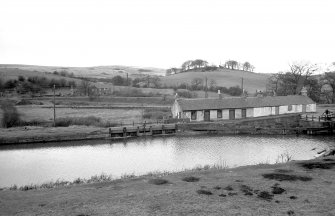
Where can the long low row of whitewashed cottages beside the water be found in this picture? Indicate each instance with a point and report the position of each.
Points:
(209, 109)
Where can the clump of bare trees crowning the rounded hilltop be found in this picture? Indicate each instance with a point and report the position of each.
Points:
(202, 65)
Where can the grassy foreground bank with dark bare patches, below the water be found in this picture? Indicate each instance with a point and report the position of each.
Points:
(295, 188)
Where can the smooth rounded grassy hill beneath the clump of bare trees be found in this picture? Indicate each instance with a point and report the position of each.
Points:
(223, 77)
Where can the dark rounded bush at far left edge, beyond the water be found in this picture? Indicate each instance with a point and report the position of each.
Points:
(10, 115)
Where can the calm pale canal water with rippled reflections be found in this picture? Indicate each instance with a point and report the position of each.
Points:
(40, 163)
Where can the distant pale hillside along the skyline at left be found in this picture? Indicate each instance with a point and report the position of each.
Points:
(93, 72)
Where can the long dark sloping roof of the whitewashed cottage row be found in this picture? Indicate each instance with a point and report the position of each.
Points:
(242, 102)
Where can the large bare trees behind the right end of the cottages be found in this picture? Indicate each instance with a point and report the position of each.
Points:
(320, 88)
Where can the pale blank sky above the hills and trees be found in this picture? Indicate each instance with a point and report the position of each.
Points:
(269, 34)
